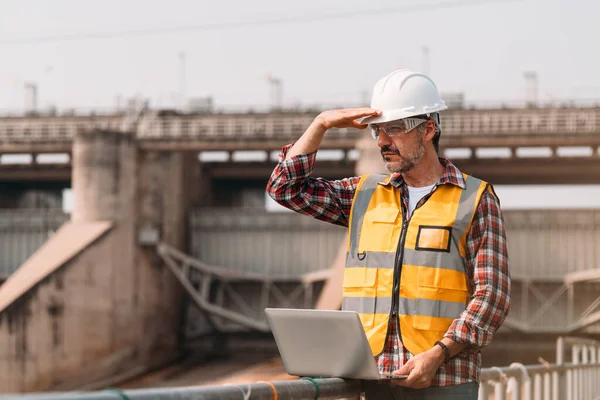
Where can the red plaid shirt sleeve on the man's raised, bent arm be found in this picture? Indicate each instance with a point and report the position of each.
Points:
(292, 186)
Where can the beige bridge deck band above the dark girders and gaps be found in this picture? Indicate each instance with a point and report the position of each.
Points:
(470, 128)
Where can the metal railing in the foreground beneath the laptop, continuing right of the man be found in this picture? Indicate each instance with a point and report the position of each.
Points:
(578, 380)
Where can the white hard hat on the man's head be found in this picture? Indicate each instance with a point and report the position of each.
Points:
(403, 94)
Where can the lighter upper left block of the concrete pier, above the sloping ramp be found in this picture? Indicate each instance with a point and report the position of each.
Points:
(100, 161)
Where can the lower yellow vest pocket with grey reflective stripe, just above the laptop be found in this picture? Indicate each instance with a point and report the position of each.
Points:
(360, 293)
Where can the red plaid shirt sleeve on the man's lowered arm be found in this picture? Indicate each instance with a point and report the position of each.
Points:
(487, 260)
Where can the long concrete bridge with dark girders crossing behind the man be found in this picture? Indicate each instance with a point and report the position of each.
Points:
(495, 144)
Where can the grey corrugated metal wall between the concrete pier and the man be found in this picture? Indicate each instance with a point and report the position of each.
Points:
(277, 244)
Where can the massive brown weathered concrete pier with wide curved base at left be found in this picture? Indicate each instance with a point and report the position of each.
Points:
(114, 309)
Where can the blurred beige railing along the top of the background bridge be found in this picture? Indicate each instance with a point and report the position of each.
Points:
(479, 123)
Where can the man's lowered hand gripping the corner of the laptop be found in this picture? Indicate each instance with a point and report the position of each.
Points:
(421, 369)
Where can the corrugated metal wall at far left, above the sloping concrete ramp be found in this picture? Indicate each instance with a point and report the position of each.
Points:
(22, 232)
